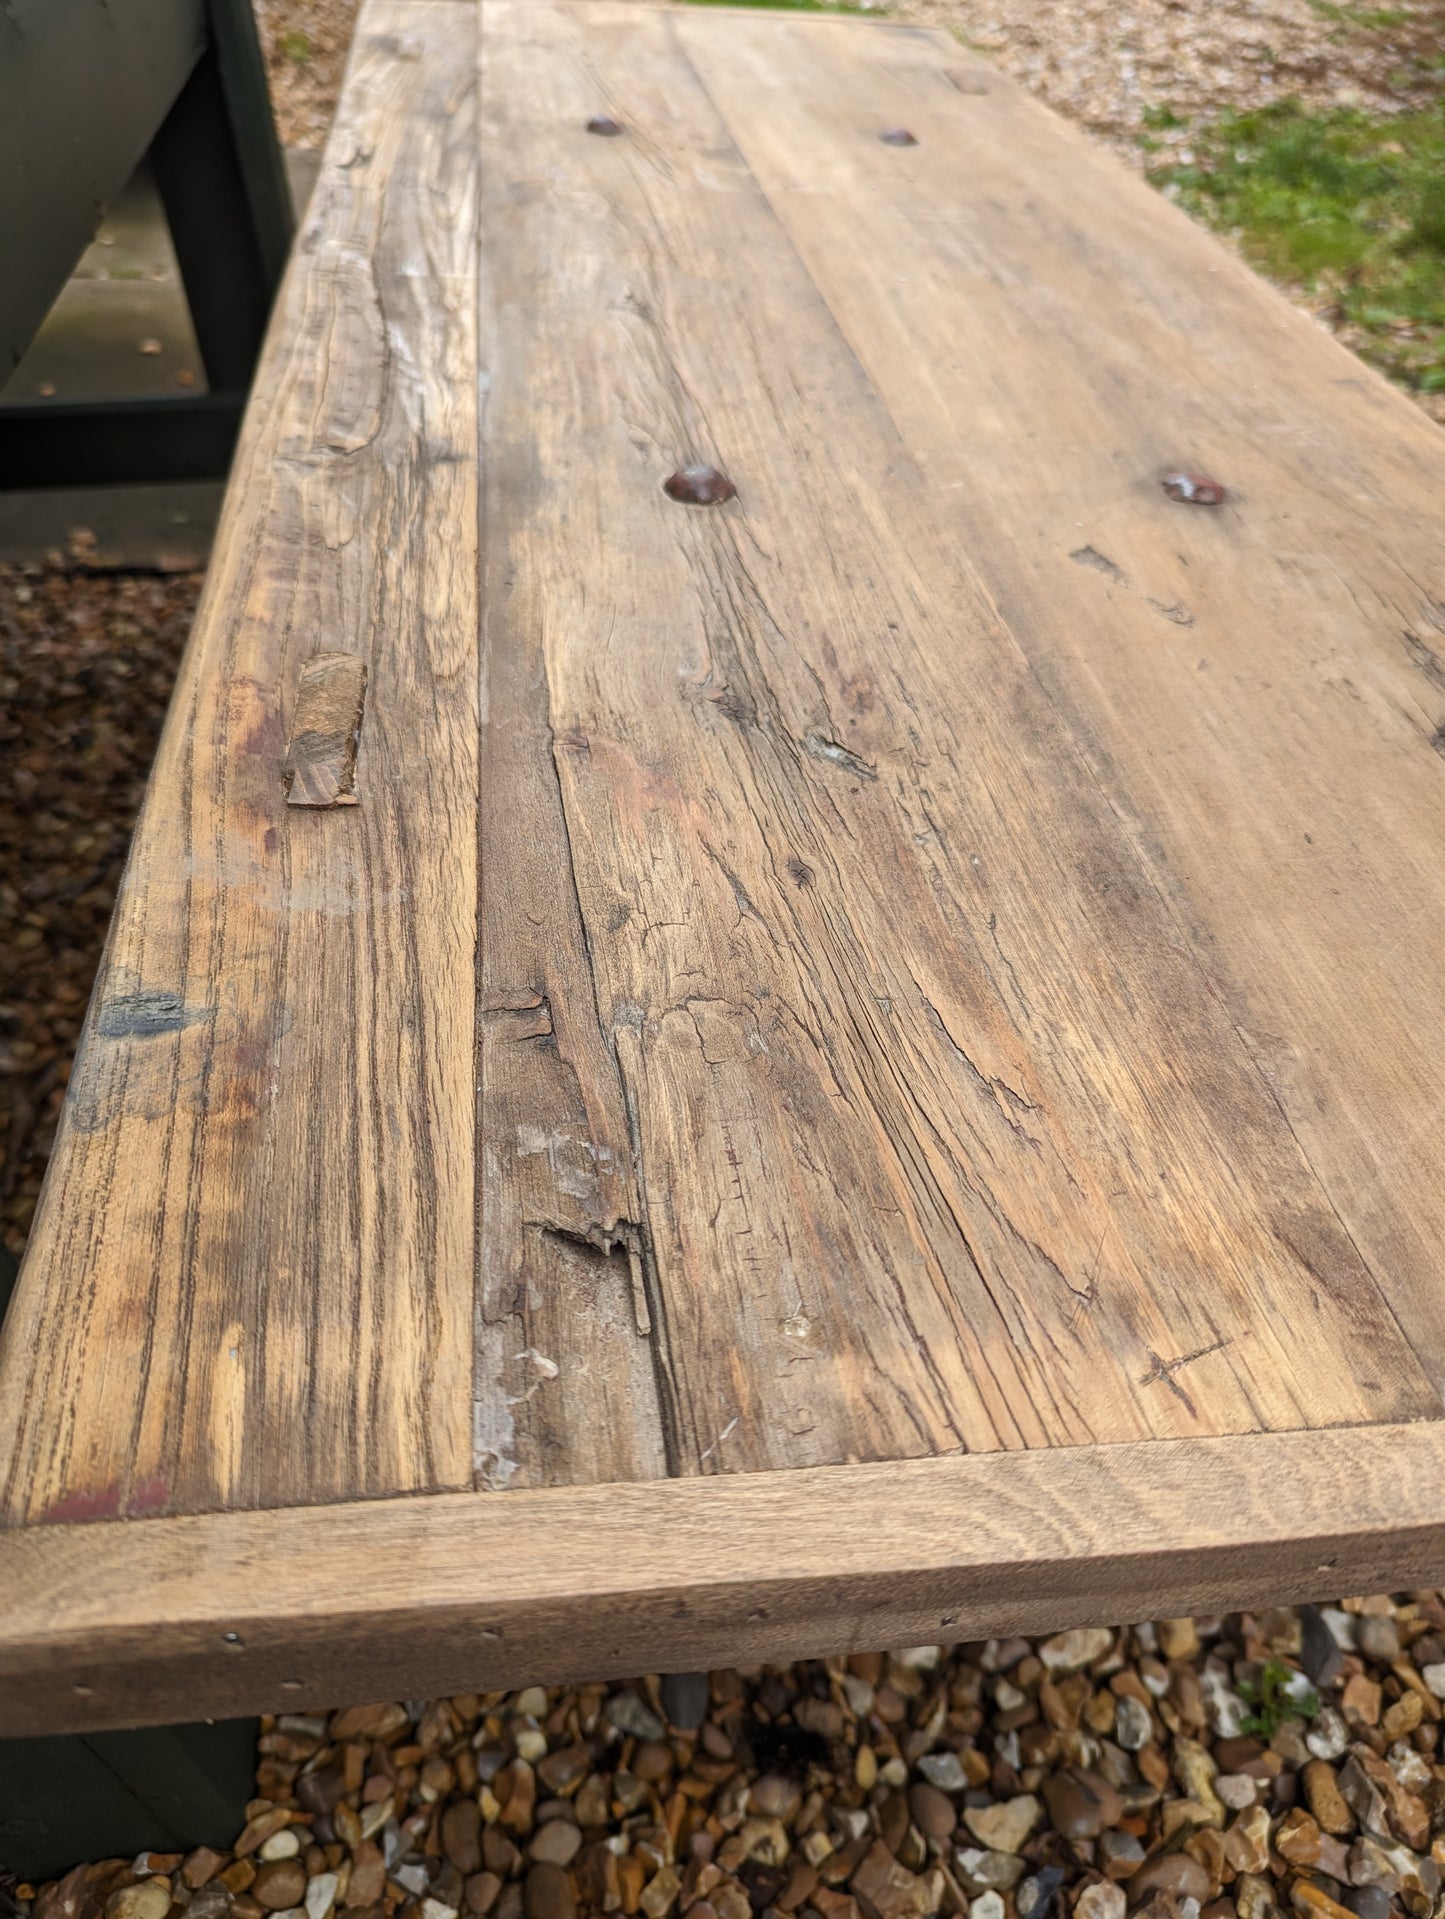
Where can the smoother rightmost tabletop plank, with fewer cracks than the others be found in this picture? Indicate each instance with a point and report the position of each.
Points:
(1258, 688)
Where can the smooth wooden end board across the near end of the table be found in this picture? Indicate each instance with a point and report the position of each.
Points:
(414, 1598)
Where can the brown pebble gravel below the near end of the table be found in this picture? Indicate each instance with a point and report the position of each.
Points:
(1246, 1768)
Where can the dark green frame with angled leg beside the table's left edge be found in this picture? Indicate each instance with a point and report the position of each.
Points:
(87, 87)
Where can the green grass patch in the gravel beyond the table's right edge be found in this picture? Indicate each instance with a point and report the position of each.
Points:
(1342, 206)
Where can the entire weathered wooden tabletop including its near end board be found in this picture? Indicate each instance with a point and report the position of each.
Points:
(855, 1064)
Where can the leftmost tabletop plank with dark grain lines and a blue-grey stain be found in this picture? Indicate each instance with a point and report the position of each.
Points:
(250, 1275)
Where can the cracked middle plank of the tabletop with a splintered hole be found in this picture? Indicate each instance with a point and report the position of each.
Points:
(943, 1129)
